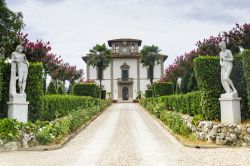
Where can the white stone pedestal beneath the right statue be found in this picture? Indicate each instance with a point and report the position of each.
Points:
(230, 109)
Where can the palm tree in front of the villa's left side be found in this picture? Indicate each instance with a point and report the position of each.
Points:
(99, 57)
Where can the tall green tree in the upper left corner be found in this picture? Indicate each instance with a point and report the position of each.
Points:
(11, 24)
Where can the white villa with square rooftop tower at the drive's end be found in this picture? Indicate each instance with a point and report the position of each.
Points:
(125, 76)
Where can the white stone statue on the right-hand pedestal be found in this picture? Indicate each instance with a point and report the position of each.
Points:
(226, 62)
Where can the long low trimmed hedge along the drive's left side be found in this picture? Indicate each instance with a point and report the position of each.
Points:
(56, 106)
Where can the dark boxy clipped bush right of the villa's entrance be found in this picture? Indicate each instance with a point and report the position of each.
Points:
(163, 88)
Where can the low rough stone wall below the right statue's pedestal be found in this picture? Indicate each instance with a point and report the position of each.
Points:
(221, 134)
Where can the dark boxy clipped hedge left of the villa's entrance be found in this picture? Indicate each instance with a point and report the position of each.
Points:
(85, 89)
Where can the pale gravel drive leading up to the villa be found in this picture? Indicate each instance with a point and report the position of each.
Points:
(126, 135)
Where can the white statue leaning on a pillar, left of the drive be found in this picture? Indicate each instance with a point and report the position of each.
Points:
(19, 65)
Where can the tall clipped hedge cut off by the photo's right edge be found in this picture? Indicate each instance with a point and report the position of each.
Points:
(246, 67)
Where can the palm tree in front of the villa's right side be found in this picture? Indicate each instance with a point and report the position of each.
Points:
(149, 57)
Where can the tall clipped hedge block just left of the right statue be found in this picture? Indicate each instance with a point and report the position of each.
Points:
(207, 71)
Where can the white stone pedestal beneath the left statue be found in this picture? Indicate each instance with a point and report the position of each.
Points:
(18, 108)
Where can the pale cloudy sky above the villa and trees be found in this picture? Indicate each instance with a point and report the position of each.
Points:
(75, 26)
